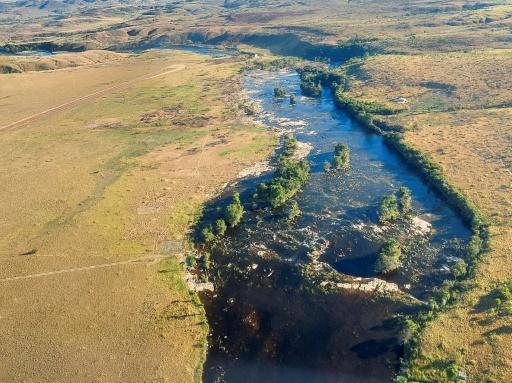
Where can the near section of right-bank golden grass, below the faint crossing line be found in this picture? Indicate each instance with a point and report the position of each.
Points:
(474, 149)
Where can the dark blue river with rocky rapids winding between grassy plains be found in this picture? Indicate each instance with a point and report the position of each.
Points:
(276, 314)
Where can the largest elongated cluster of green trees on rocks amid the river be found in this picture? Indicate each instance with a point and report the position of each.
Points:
(291, 175)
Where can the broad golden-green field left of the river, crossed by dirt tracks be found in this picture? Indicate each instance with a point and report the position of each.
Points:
(90, 188)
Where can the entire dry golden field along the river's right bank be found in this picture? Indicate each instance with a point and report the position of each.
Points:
(459, 111)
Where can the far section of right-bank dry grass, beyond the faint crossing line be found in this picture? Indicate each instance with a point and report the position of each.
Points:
(439, 82)
